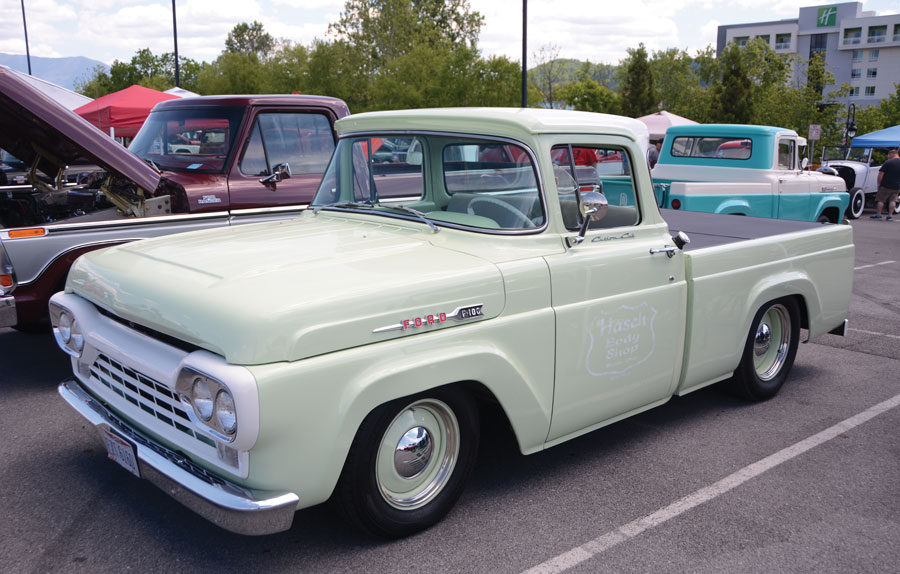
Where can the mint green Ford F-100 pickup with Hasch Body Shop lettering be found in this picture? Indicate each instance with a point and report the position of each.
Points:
(256, 370)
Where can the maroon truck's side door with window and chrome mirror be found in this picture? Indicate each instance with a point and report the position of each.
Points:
(304, 139)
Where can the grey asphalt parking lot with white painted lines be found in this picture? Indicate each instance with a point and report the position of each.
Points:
(806, 482)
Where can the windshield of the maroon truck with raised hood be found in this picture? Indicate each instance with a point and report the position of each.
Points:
(189, 140)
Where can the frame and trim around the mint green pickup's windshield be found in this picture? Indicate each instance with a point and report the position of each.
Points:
(426, 177)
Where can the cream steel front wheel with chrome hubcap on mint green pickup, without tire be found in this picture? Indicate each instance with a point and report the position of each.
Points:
(418, 454)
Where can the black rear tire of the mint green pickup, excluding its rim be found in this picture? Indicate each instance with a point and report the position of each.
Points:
(748, 382)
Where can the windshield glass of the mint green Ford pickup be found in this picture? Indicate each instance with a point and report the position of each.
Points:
(457, 181)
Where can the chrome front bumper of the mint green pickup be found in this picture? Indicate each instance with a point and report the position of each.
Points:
(225, 504)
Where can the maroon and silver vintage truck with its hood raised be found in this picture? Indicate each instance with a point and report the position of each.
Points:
(196, 163)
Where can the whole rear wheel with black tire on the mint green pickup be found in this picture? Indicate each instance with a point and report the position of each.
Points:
(769, 351)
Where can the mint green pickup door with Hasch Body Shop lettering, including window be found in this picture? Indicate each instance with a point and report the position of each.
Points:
(620, 310)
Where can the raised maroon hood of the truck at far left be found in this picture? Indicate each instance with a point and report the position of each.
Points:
(34, 125)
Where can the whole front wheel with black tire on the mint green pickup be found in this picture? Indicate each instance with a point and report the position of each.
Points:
(374, 495)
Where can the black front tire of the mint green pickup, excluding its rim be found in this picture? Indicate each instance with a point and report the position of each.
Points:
(358, 493)
